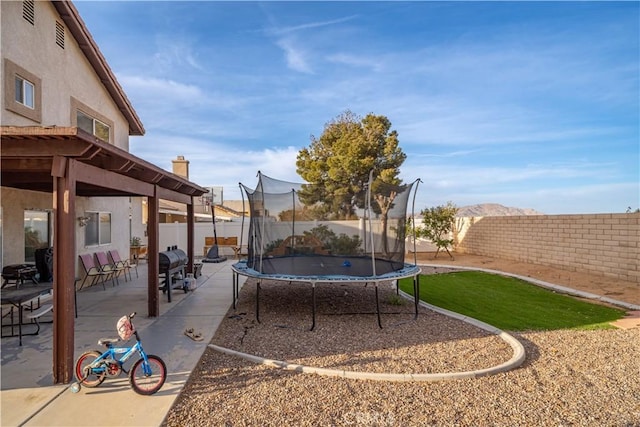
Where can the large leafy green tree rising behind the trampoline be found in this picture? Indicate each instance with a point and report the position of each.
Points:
(341, 159)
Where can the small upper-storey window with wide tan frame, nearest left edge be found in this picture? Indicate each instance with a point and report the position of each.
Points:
(23, 91)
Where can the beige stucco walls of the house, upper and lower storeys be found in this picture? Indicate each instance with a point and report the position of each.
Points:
(67, 80)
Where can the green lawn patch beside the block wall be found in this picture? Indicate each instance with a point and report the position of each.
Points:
(509, 303)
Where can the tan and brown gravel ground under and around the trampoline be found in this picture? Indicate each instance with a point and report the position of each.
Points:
(569, 378)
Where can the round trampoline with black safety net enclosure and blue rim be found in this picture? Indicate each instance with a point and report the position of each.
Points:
(293, 239)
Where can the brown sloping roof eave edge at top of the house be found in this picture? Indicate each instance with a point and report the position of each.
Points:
(78, 29)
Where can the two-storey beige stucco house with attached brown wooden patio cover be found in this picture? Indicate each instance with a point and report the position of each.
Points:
(67, 174)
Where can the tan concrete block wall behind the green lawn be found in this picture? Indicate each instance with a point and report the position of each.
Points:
(607, 244)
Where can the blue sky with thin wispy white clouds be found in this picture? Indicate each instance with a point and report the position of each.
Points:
(526, 104)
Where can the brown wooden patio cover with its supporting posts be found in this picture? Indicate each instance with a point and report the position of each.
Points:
(68, 162)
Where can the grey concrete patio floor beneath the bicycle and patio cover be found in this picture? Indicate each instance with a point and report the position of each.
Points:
(29, 396)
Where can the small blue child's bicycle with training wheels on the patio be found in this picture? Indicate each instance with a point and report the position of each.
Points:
(146, 375)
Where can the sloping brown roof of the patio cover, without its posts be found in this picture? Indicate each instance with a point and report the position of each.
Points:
(31, 155)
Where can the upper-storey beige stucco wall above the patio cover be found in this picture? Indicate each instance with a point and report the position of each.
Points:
(65, 73)
